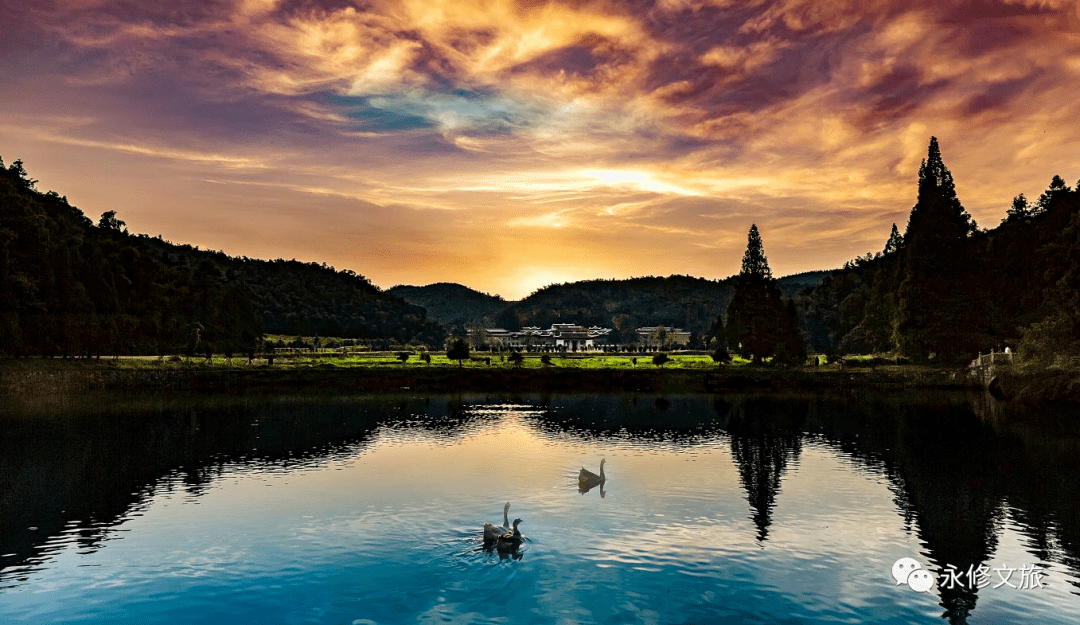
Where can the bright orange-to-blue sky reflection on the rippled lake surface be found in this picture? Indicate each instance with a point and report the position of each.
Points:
(390, 534)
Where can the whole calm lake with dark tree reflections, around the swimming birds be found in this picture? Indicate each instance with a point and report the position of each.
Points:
(366, 510)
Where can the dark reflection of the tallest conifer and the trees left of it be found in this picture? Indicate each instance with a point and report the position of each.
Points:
(944, 469)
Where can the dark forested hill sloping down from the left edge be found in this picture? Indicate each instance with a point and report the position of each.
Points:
(70, 288)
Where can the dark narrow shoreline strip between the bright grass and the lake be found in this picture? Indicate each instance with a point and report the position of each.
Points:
(49, 377)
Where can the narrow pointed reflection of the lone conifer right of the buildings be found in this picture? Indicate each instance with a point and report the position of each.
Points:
(765, 438)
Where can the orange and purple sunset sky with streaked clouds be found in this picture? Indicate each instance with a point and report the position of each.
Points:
(510, 145)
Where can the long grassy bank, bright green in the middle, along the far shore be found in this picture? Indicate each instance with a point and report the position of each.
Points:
(685, 374)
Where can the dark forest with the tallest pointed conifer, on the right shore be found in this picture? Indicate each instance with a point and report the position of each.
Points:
(947, 290)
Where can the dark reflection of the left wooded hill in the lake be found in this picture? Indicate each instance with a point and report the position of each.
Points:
(85, 473)
